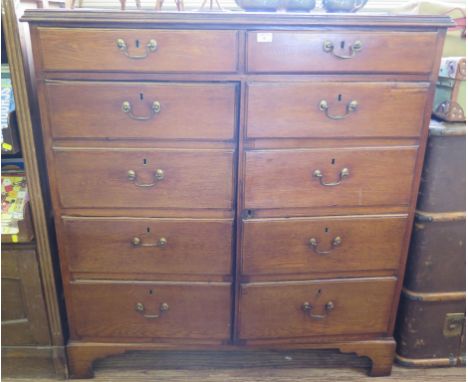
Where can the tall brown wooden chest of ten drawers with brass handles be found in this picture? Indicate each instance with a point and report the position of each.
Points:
(228, 181)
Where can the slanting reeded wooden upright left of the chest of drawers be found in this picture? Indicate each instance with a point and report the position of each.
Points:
(20, 63)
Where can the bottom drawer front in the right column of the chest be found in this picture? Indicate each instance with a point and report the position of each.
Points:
(317, 308)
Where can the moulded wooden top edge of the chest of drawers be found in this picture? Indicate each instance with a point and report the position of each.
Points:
(233, 19)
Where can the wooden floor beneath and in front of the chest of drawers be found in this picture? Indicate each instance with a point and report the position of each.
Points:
(258, 366)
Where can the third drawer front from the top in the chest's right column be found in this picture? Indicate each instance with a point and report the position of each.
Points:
(329, 177)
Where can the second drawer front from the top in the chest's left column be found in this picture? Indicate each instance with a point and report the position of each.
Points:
(143, 110)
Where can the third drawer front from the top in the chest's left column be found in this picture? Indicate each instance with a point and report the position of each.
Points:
(135, 178)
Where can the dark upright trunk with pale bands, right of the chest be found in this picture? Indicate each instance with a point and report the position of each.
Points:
(431, 318)
